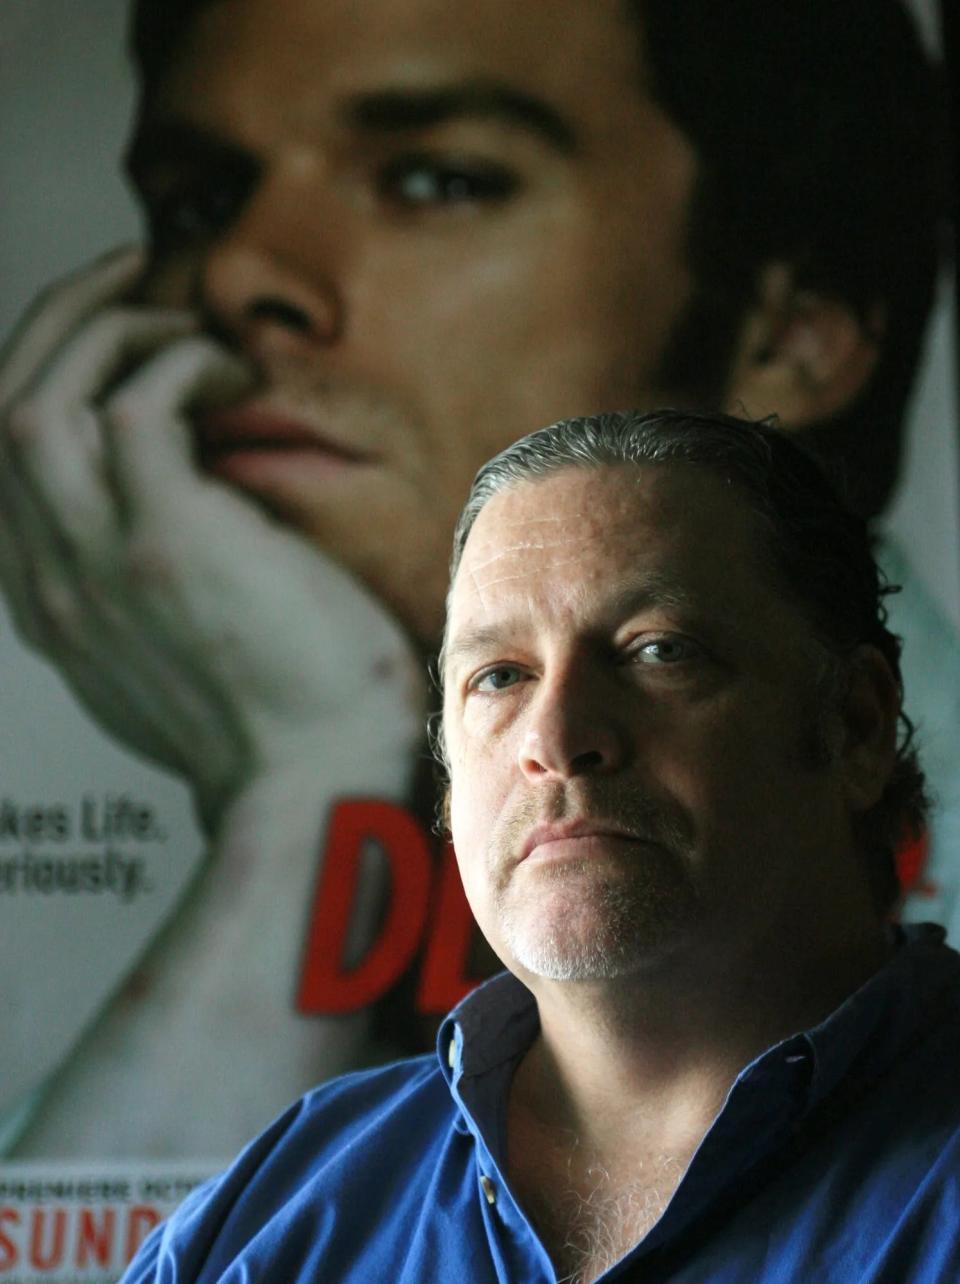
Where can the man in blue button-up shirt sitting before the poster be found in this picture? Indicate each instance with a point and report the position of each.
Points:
(671, 722)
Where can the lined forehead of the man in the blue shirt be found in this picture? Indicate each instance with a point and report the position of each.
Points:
(590, 549)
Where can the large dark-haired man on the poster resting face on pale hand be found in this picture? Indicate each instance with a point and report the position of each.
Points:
(379, 251)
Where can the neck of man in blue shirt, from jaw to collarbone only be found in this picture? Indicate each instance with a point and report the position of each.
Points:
(681, 1030)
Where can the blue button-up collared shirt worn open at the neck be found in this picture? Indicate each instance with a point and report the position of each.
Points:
(836, 1159)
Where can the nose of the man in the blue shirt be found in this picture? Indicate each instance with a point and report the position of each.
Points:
(574, 727)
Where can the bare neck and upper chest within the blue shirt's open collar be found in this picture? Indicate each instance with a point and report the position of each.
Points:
(626, 1078)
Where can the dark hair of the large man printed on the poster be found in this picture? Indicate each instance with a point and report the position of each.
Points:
(821, 138)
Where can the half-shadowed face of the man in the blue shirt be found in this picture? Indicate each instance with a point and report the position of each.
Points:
(635, 729)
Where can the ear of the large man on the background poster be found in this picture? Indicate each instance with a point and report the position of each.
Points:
(801, 356)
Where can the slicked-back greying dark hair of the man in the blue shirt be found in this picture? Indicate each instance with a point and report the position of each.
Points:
(817, 549)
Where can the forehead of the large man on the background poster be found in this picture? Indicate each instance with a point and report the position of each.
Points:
(400, 47)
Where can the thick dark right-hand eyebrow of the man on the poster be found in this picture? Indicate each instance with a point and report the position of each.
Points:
(397, 111)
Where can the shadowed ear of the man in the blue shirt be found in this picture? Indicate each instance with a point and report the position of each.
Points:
(870, 713)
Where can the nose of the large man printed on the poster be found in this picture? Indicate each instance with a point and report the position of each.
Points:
(269, 281)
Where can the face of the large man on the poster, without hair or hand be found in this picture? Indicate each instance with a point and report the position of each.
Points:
(429, 225)
